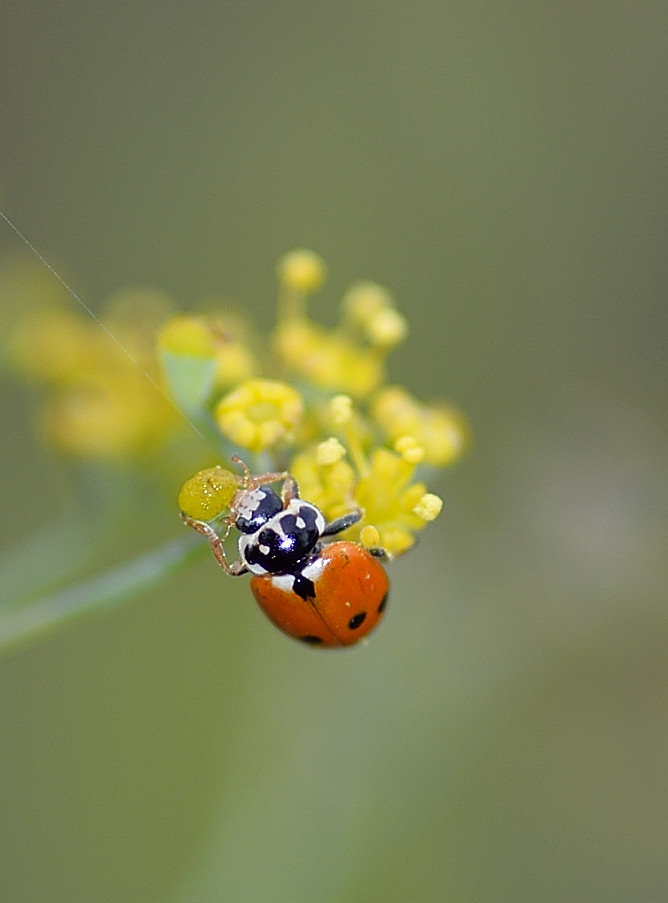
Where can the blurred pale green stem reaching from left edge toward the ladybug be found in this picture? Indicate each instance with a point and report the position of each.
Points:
(40, 617)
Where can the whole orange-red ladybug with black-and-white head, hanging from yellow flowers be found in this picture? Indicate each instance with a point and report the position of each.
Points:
(321, 593)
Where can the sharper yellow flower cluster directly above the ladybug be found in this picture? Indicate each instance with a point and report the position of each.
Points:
(349, 440)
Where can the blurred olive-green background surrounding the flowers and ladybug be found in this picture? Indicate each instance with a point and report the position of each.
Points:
(502, 168)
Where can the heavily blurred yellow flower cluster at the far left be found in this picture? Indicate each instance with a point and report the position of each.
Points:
(95, 398)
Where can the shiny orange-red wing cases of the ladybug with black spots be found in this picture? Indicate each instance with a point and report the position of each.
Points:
(351, 589)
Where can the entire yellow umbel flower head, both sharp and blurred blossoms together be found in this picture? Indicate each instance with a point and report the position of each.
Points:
(302, 398)
